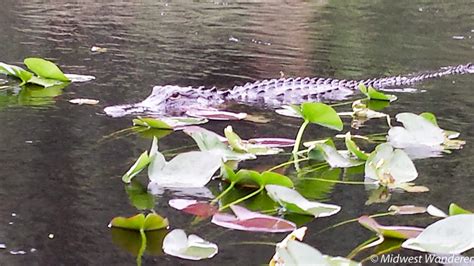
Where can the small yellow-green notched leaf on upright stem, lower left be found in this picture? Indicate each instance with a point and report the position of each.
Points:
(139, 222)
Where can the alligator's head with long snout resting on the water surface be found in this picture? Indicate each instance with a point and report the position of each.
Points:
(169, 101)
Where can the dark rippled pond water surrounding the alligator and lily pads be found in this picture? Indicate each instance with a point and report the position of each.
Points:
(58, 178)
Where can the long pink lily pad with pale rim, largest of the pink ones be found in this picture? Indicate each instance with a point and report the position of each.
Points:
(246, 220)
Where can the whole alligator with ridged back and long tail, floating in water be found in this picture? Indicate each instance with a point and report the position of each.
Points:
(171, 100)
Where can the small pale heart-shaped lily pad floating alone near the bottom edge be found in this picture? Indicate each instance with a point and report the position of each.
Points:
(191, 247)
